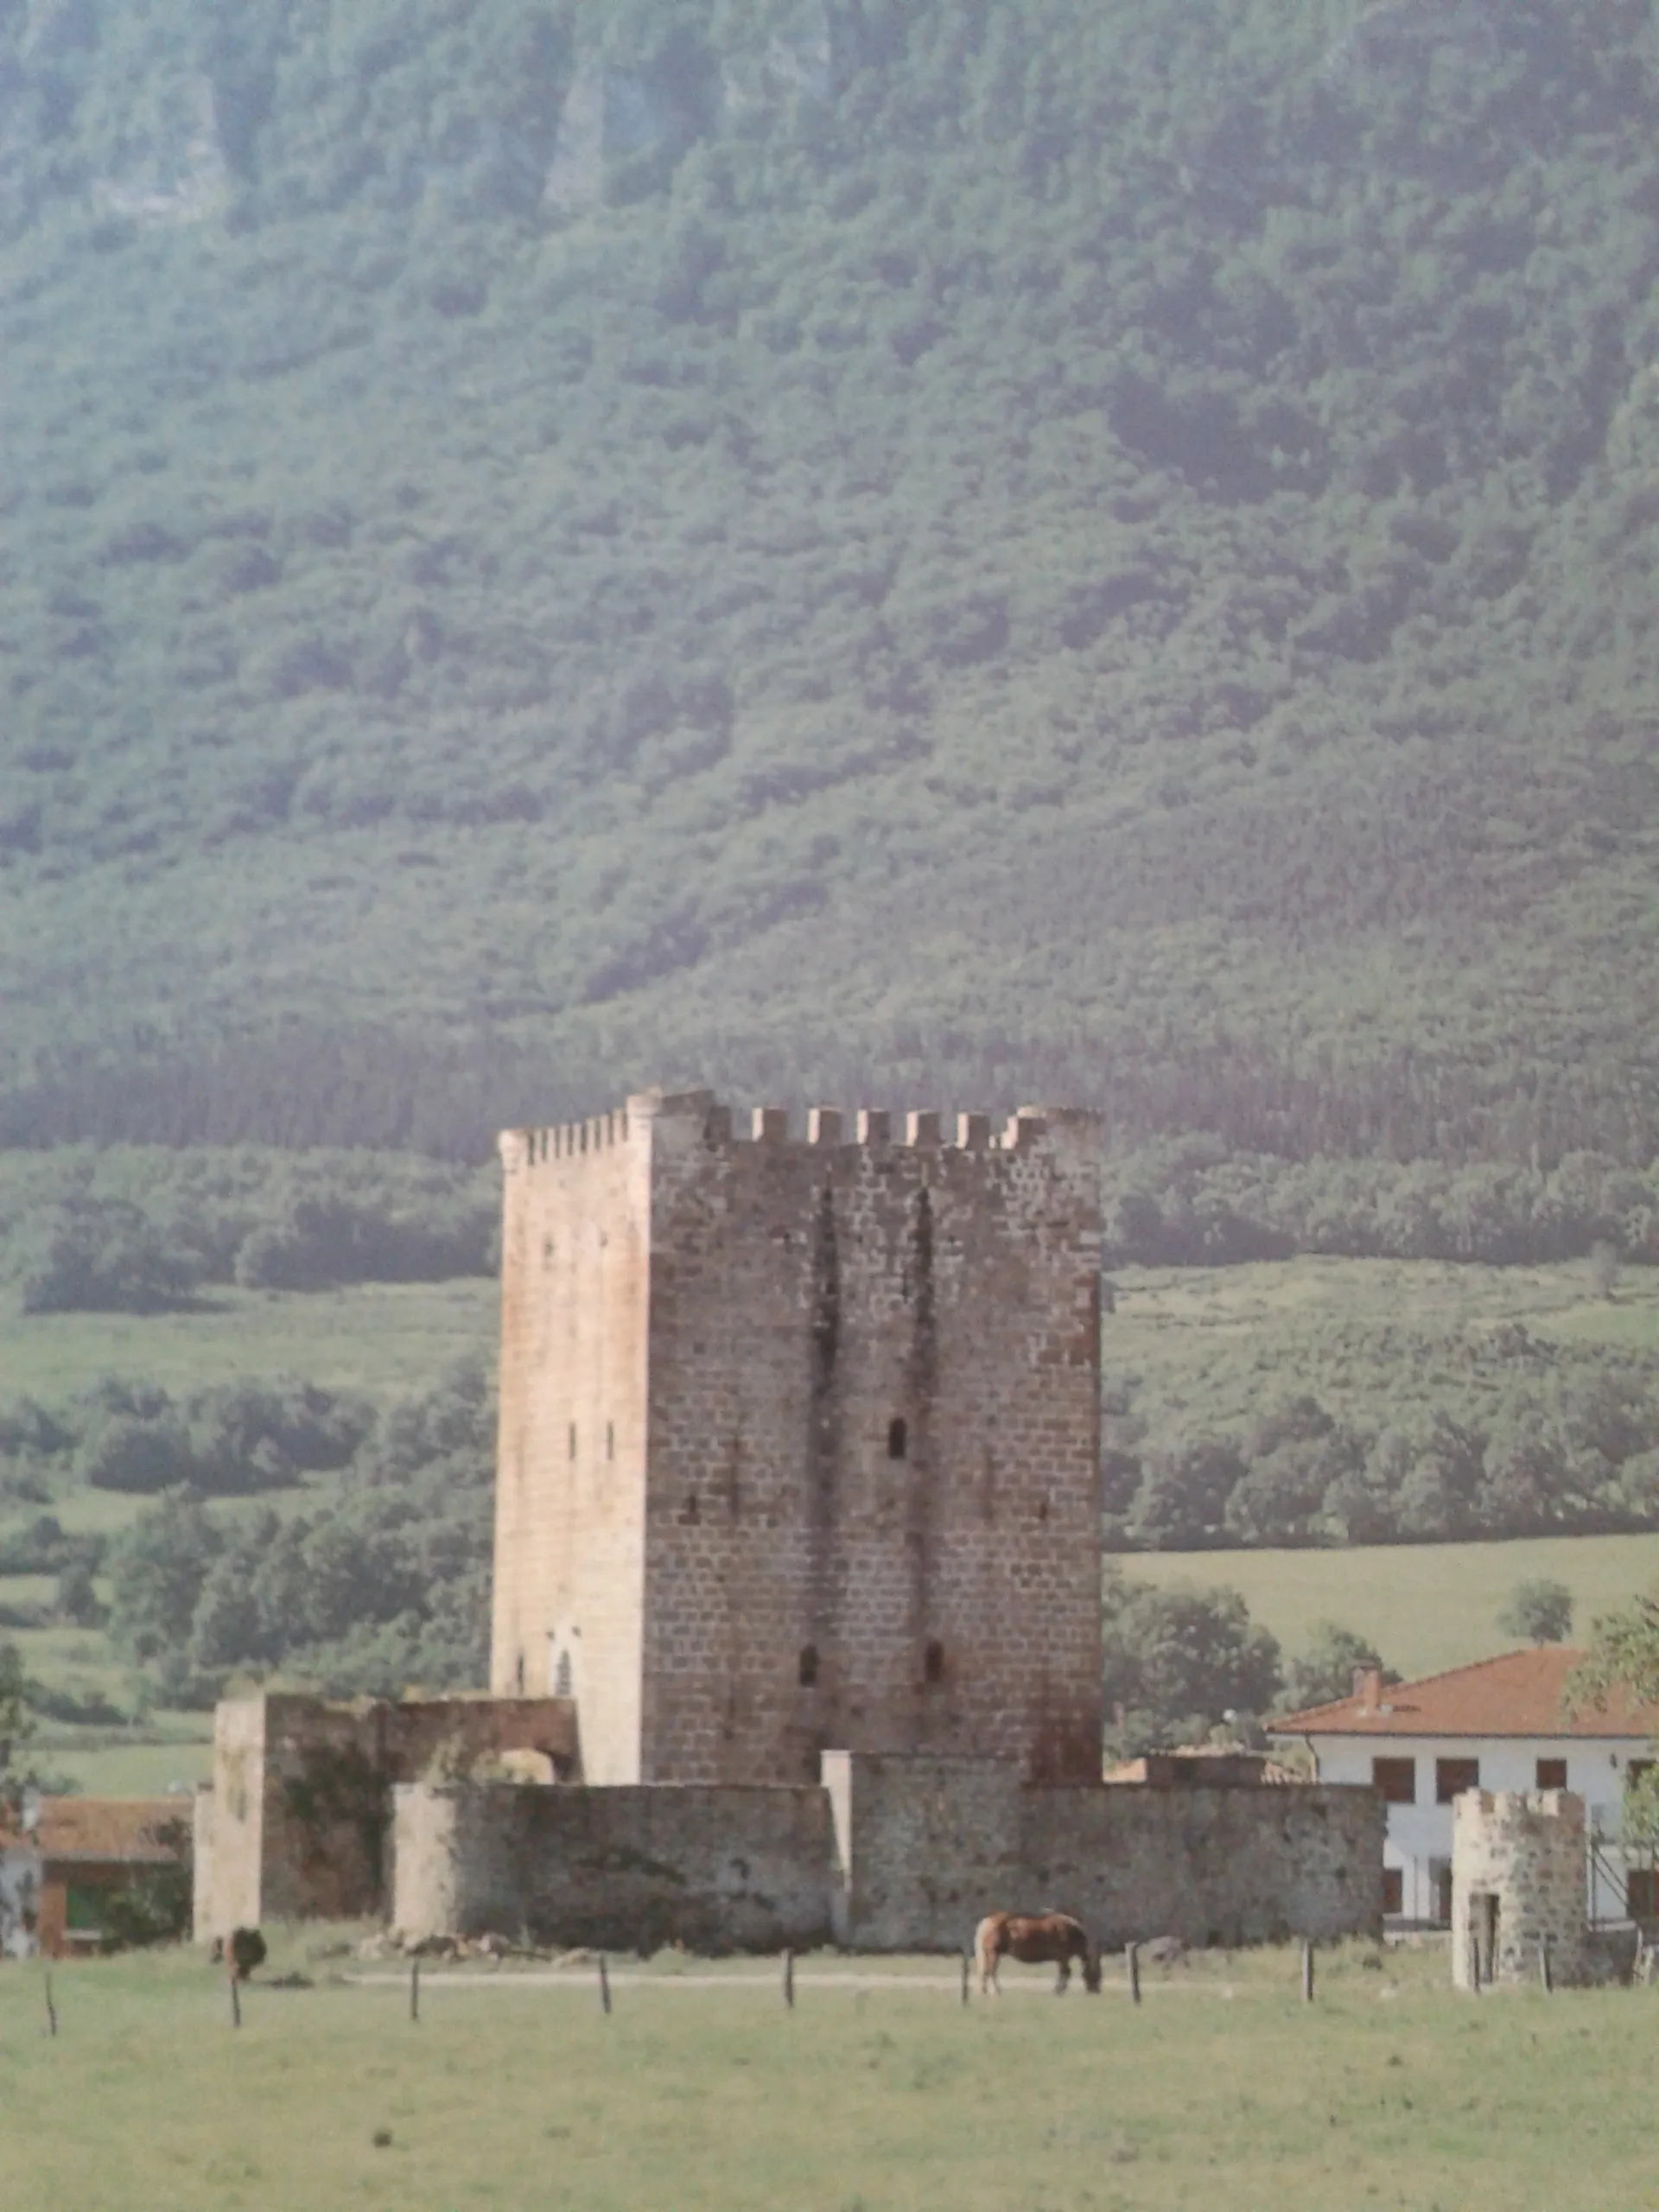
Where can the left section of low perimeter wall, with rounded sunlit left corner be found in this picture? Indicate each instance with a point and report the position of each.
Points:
(625, 1868)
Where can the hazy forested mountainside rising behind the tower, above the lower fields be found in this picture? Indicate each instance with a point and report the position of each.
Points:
(928, 550)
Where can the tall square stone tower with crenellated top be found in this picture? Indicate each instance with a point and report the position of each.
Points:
(800, 1441)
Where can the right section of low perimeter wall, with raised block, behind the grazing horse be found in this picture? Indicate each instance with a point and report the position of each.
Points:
(932, 1846)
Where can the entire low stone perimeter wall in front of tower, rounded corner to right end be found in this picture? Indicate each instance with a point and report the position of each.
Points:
(890, 1855)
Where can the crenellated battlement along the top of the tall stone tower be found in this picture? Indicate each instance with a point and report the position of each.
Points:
(826, 1127)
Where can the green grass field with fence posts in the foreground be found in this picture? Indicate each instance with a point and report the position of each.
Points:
(1220, 2091)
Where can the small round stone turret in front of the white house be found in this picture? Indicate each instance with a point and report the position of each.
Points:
(1523, 1850)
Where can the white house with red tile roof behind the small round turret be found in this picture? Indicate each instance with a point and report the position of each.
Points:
(1499, 1724)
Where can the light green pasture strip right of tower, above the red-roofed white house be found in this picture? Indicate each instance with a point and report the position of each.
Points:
(1428, 1607)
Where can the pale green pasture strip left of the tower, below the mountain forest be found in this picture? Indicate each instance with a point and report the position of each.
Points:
(375, 1337)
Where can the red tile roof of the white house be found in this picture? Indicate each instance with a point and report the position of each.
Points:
(1514, 1695)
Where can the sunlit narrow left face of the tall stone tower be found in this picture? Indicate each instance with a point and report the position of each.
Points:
(572, 1459)
